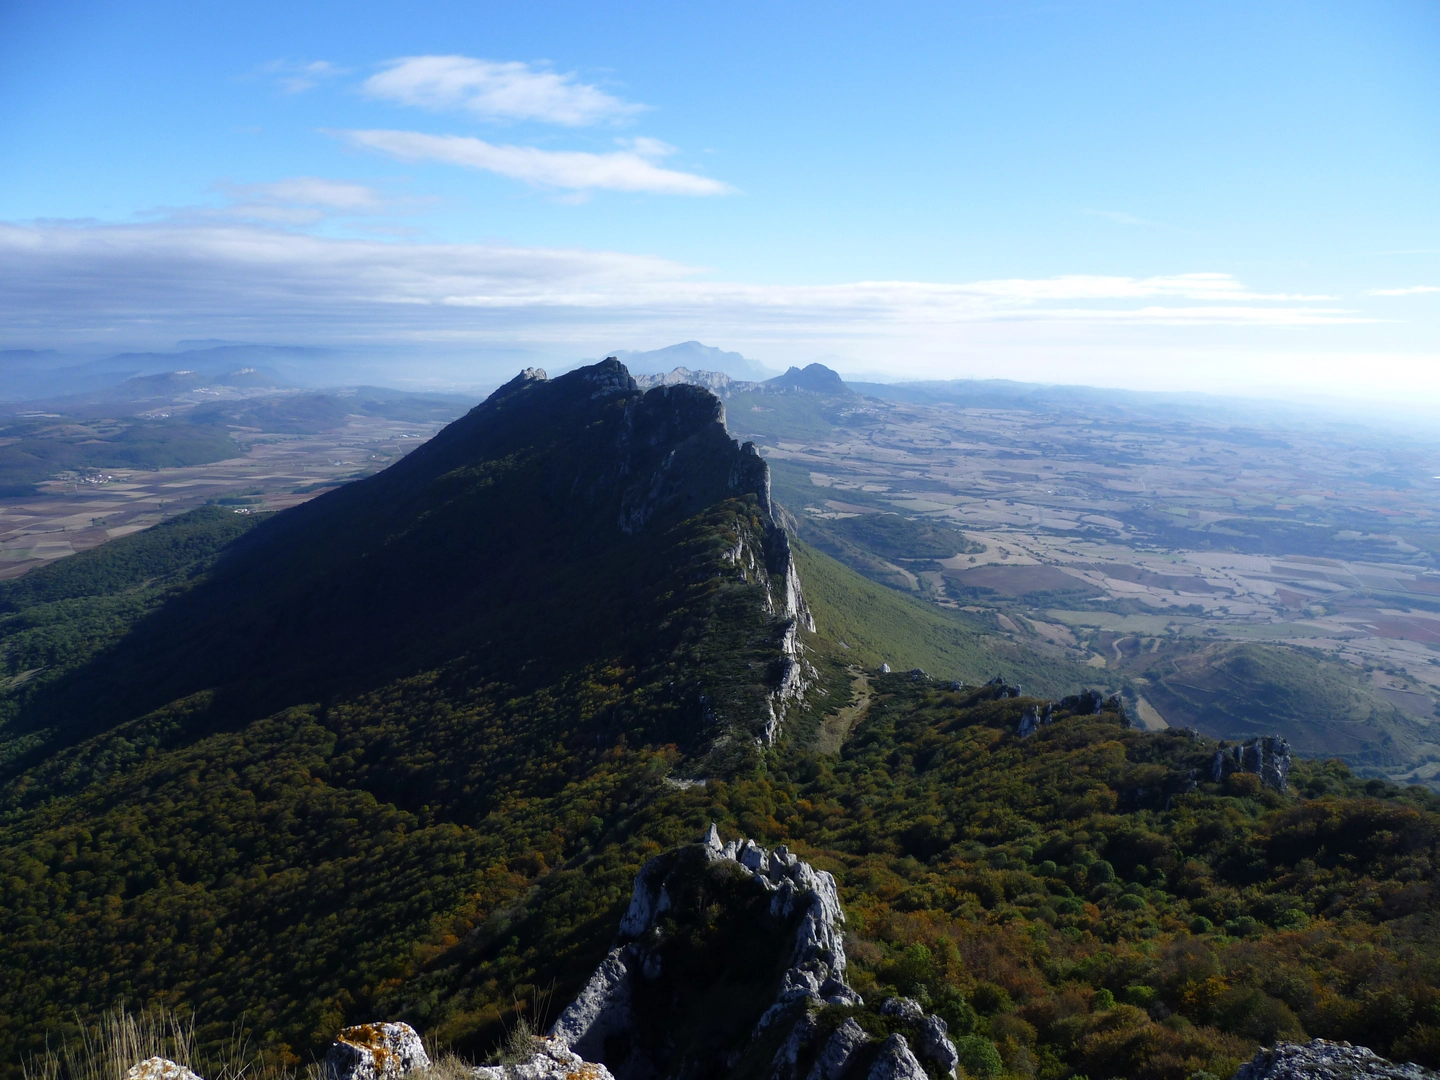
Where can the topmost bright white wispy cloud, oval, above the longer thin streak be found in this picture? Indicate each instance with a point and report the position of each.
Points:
(496, 90)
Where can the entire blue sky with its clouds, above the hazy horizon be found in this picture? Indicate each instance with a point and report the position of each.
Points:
(1186, 197)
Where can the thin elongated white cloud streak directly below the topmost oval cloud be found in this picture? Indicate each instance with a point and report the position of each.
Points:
(624, 171)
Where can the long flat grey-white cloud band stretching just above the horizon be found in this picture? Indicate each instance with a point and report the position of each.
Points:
(224, 280)
